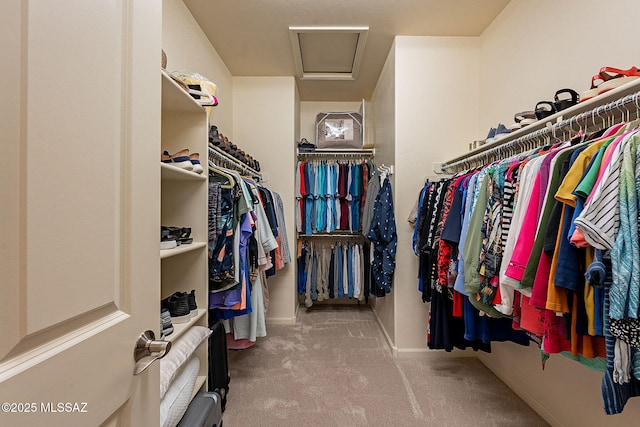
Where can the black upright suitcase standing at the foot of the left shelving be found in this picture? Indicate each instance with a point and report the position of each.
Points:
(218, 364)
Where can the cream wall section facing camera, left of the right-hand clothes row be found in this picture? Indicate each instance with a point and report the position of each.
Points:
(436, 115)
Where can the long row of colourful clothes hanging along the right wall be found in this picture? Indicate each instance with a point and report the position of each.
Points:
(547, 244)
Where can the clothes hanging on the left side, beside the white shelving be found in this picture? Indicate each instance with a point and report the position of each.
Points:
(246, 230)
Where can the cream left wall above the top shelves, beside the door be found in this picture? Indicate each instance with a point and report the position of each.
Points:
(188, 50)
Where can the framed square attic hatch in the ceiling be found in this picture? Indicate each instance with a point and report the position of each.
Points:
(328, 53)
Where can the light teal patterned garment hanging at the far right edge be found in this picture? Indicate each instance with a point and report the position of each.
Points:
(625, 254)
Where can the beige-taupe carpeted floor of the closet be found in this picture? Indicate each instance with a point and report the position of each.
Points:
(334, 368)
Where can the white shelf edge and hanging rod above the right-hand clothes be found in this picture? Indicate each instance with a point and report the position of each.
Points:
(593, 110)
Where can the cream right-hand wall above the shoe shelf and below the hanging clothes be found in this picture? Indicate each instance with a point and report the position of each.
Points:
(531, 50)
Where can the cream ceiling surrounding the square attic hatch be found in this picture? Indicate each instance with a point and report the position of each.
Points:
(252, 36)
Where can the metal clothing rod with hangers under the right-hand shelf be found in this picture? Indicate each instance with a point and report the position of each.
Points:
(596, 113)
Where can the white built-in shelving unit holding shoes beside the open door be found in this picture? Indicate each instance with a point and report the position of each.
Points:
(183, 203)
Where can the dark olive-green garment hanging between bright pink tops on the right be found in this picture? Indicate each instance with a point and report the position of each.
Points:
(531, 269)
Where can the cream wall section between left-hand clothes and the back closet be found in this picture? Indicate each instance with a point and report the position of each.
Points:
(264, 111)
